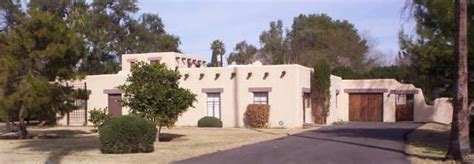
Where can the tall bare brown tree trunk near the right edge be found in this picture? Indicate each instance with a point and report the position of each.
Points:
(459, 145)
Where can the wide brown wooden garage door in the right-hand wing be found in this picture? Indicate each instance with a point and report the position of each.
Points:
(365, 106)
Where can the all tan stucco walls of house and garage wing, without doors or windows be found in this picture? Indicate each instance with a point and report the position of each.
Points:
(285, 85)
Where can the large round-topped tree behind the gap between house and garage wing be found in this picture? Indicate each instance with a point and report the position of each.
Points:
(315, 36)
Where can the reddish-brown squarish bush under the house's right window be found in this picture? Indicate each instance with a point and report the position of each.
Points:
(257, 115)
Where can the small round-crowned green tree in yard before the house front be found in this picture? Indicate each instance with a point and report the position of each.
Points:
(152, 92)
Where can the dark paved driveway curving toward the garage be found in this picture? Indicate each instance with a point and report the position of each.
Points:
(367, 142)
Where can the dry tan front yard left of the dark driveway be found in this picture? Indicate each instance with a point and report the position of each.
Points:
(80, 145)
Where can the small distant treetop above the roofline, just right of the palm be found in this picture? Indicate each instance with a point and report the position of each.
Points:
(243, 54)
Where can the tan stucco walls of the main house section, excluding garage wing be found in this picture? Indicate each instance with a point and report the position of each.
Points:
(285, 83)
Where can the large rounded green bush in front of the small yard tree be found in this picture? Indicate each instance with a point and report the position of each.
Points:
(127, 134)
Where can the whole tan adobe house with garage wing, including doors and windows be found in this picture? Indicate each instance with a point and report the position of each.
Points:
(225, 92)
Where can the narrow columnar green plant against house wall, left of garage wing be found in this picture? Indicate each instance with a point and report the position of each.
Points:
(320, 88)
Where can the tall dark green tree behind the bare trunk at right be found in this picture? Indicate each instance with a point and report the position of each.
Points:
(430, 53)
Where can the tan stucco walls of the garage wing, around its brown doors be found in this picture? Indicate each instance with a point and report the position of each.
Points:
(440, 112)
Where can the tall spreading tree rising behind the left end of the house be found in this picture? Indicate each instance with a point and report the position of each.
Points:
(110, 30)
